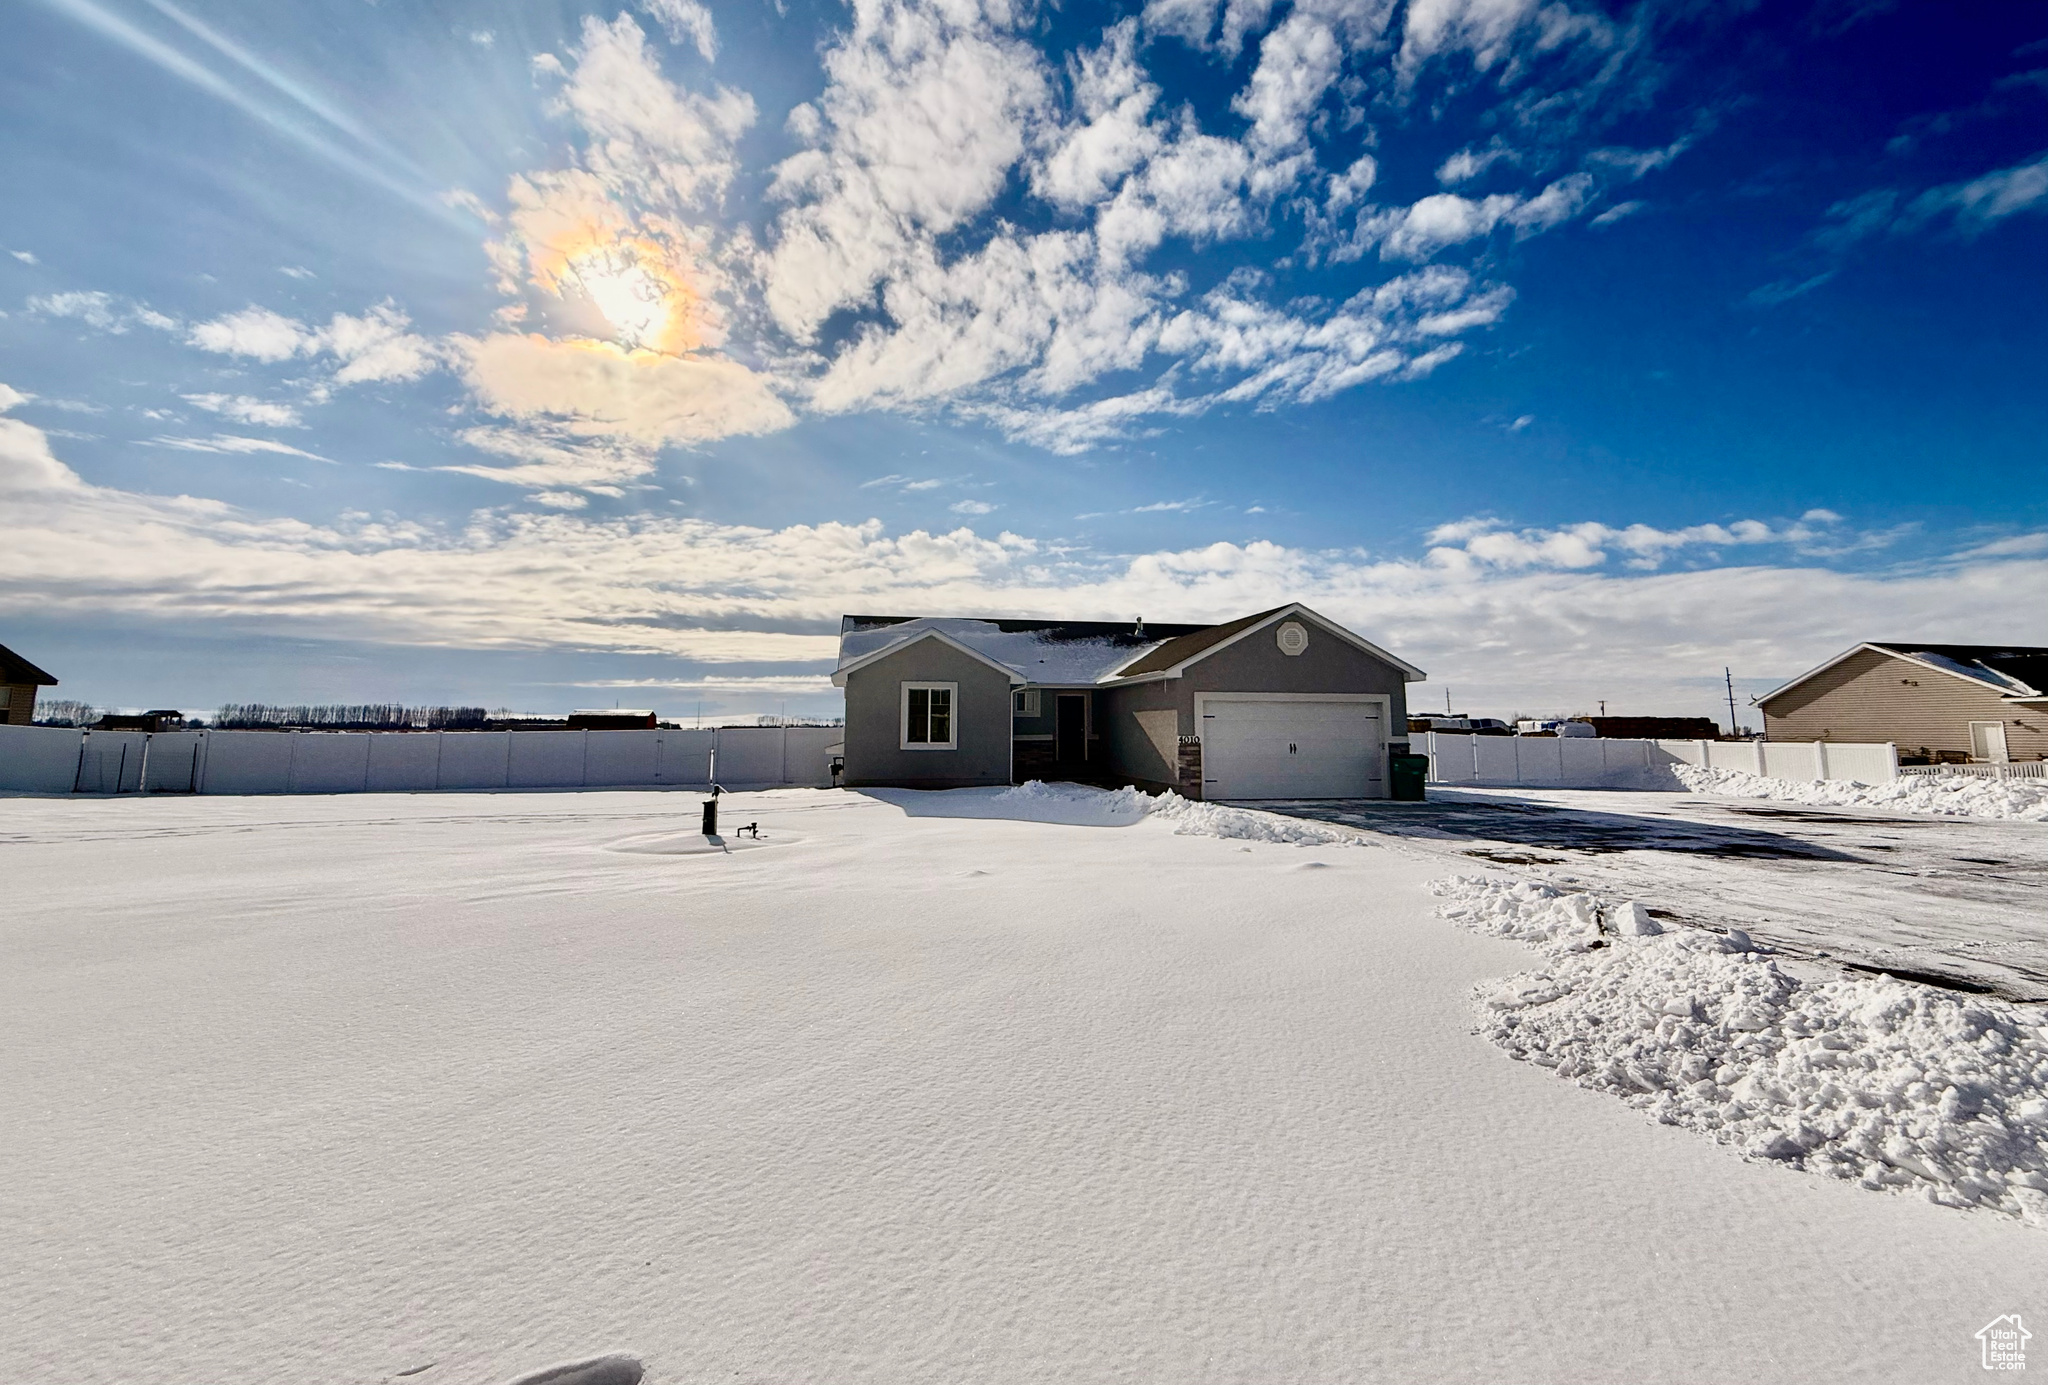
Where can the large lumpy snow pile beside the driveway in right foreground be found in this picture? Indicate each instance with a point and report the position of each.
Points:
(1897, 1087)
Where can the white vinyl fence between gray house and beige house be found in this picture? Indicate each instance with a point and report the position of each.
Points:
(1603, 763)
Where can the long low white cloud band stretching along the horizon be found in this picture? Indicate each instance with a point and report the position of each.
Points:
(1510, 630)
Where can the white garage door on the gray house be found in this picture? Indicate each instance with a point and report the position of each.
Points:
(1293, 751)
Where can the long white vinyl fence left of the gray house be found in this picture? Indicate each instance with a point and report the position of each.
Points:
(65, 761)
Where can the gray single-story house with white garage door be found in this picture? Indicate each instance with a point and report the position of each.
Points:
(1277, 706)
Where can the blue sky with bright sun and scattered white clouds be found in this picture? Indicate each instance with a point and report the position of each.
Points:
(550, 355)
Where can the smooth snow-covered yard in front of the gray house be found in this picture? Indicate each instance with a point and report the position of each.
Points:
(921, 1089)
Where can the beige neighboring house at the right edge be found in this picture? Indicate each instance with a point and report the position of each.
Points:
(1986, 704)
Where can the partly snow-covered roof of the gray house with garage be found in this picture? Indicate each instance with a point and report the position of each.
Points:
(1070, 653)
